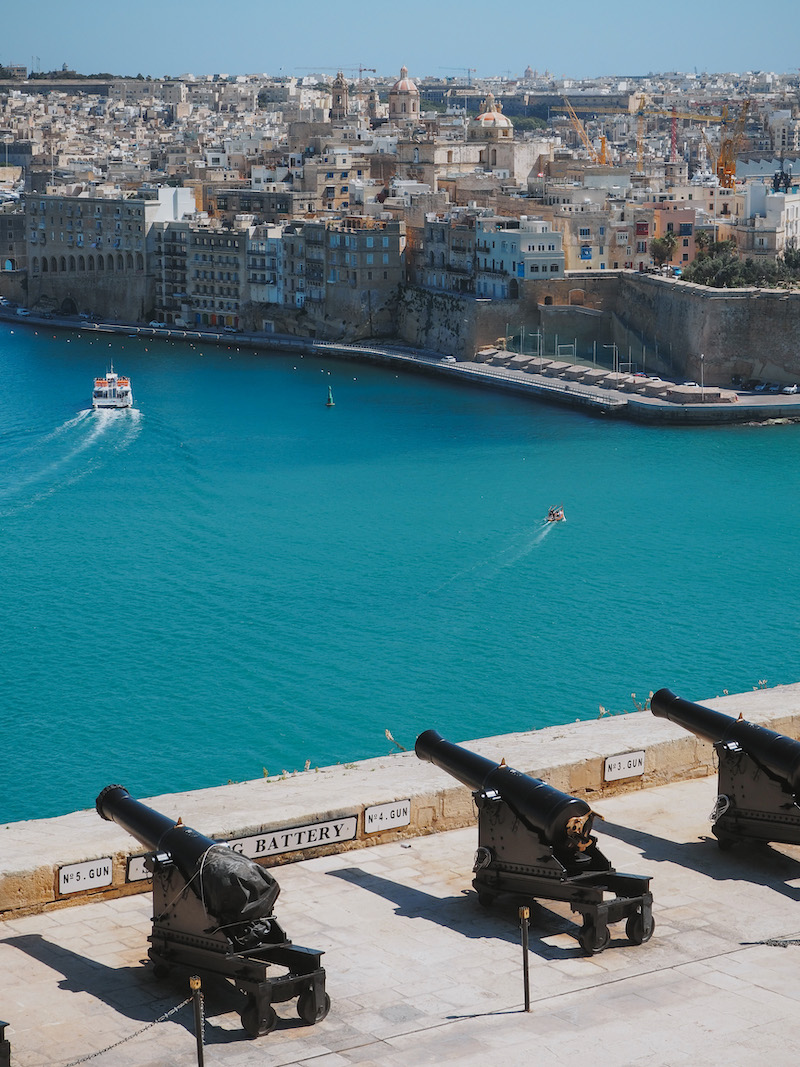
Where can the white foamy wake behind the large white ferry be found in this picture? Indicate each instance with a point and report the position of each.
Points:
(65, 456)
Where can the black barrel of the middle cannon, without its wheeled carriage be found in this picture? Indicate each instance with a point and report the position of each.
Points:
(561, 819)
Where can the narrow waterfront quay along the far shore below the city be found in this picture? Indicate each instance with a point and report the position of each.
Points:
(582, 387)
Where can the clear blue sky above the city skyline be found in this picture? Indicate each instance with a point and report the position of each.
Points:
(579, 39)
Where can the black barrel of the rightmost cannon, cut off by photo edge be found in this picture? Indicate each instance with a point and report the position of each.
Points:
(778, 755)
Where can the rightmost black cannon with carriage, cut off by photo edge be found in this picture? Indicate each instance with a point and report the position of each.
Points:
(759, 776)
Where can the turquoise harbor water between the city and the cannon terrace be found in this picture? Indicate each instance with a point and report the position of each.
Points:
(236, 578)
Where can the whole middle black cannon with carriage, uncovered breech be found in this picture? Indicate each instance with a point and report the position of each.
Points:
(535, 841)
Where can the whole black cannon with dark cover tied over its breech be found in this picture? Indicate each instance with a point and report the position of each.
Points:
(213, 912)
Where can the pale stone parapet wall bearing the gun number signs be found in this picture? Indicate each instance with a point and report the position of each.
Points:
(294, 813)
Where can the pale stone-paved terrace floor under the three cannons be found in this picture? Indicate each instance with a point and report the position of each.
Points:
(419, 974)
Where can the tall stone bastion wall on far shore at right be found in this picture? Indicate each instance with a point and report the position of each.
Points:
(662, 324)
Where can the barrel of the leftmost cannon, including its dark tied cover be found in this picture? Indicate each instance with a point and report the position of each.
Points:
(235, 889)
